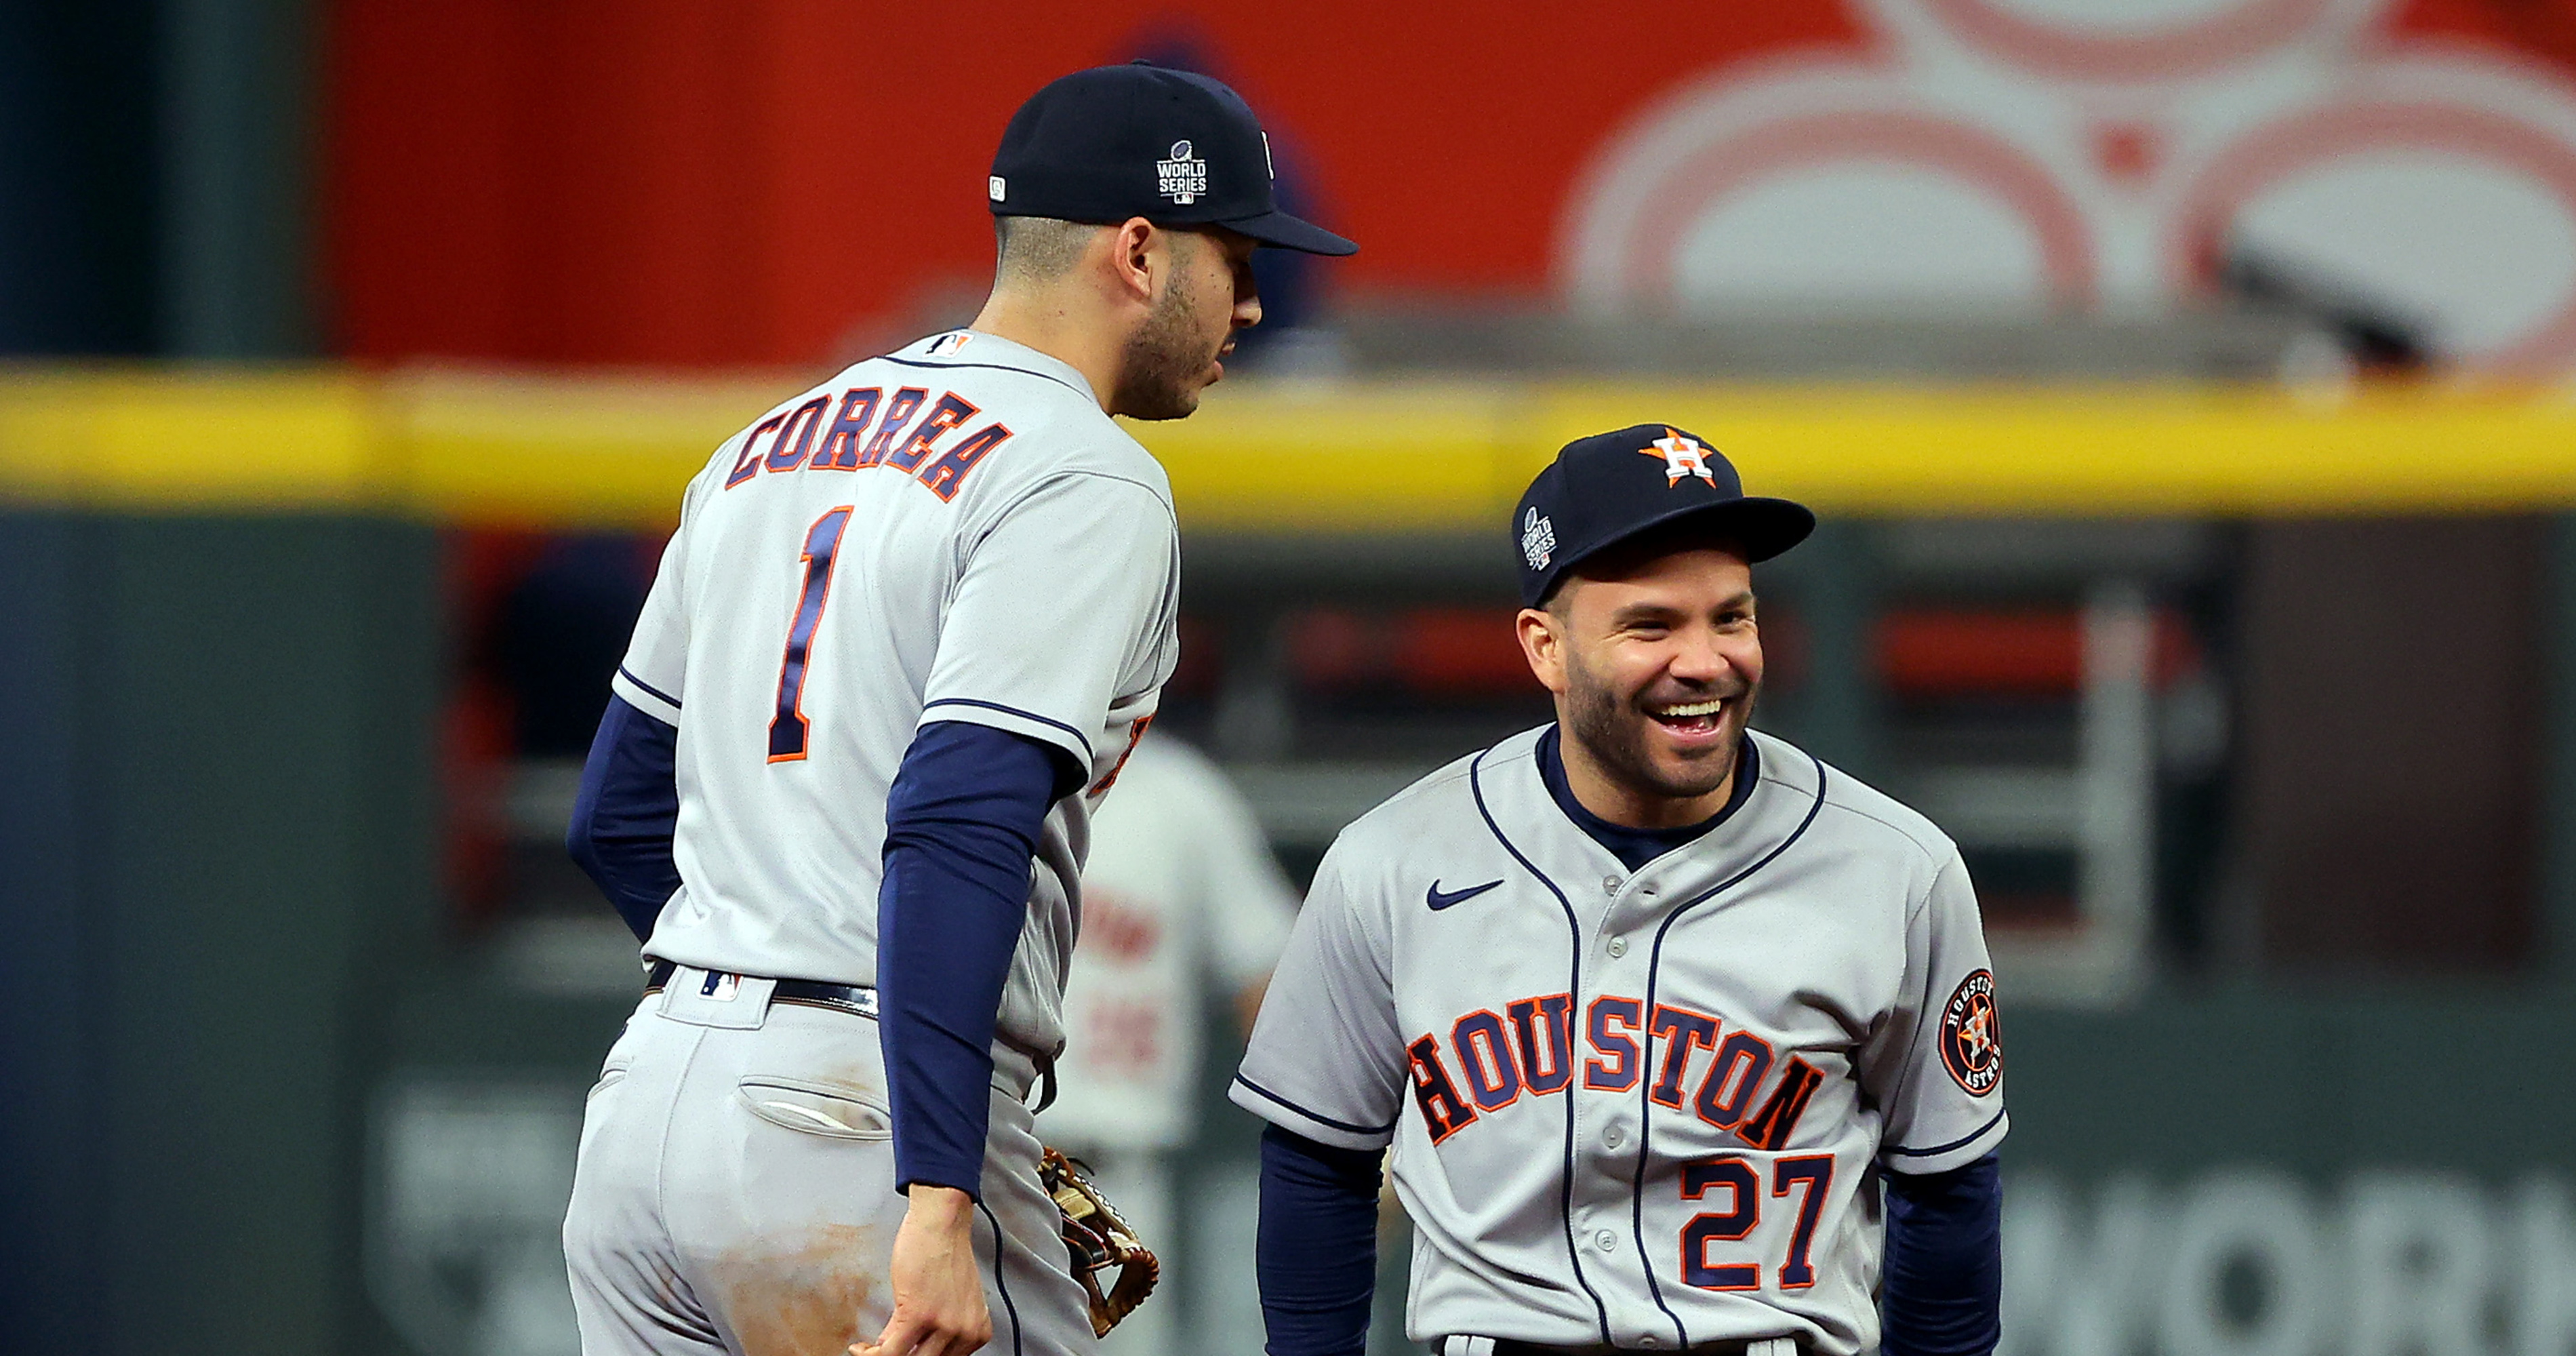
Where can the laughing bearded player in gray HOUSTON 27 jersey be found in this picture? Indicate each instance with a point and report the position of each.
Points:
(1681, 1038)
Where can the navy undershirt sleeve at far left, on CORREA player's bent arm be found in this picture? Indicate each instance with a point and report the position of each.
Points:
(625, 816)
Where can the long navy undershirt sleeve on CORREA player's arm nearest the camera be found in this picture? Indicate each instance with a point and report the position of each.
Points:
(962, 826)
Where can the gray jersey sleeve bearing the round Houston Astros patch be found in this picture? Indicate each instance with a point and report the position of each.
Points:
(1938, 1061)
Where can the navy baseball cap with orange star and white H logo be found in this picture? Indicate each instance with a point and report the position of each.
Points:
(1606, 489)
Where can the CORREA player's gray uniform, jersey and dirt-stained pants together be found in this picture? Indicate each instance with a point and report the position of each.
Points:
(949, 532)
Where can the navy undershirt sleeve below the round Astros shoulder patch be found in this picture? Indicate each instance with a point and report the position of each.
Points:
(1946, 1262)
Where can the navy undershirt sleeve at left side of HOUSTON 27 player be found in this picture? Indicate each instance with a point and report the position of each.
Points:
(1318, 1249)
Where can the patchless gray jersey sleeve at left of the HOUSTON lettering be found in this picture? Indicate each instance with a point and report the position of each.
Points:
(1325, 1056)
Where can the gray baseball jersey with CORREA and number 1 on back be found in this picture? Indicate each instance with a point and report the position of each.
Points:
(949, 532)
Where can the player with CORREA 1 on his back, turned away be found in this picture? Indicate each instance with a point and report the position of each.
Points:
(898, 651)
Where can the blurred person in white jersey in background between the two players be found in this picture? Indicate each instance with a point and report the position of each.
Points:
(1181, 893)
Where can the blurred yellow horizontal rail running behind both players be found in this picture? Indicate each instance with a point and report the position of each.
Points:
(1289, 458)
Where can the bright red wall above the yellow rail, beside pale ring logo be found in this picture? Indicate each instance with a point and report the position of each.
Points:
(753, 182)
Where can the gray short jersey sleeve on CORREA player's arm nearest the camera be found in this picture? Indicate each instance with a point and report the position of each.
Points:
(1063, 610)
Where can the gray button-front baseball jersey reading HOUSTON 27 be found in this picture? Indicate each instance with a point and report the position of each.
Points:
(1640, 1110)
